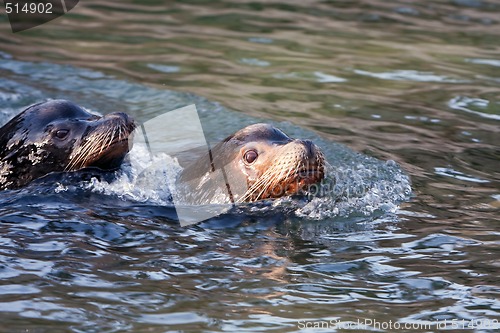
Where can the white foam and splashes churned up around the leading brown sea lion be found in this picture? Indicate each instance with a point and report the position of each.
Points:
(360, 186)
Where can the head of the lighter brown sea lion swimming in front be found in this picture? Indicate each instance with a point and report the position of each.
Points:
(276, 165)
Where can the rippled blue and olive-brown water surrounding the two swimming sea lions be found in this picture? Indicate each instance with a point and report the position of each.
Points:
(413, 82)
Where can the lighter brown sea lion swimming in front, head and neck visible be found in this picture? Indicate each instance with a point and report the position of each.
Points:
(257, 162)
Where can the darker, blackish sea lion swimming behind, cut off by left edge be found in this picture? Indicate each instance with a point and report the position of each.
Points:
(56, 136)
